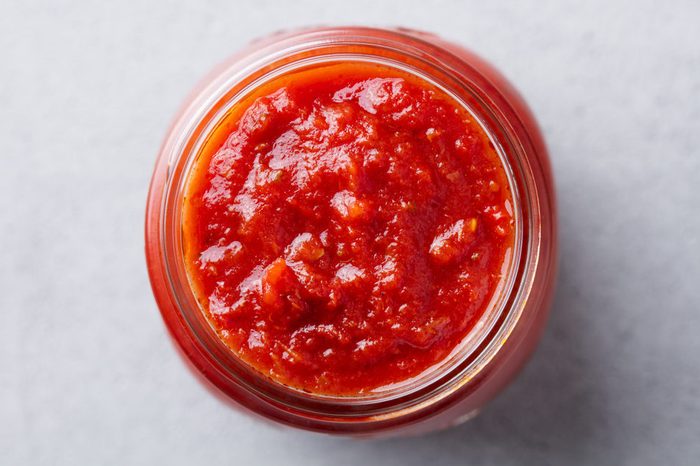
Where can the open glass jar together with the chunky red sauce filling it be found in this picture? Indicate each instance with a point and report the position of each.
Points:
(353, 231)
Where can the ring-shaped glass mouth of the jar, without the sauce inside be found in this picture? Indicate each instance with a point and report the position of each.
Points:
(483, 340)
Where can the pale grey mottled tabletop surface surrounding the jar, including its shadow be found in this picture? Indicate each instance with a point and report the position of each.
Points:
(87, 375)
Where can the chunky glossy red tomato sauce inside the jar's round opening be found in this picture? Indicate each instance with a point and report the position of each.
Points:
(345, 227)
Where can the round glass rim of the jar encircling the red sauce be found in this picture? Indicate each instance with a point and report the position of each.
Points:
(282, 56)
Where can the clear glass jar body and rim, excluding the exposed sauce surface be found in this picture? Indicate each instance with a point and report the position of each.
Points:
(499, 345)
